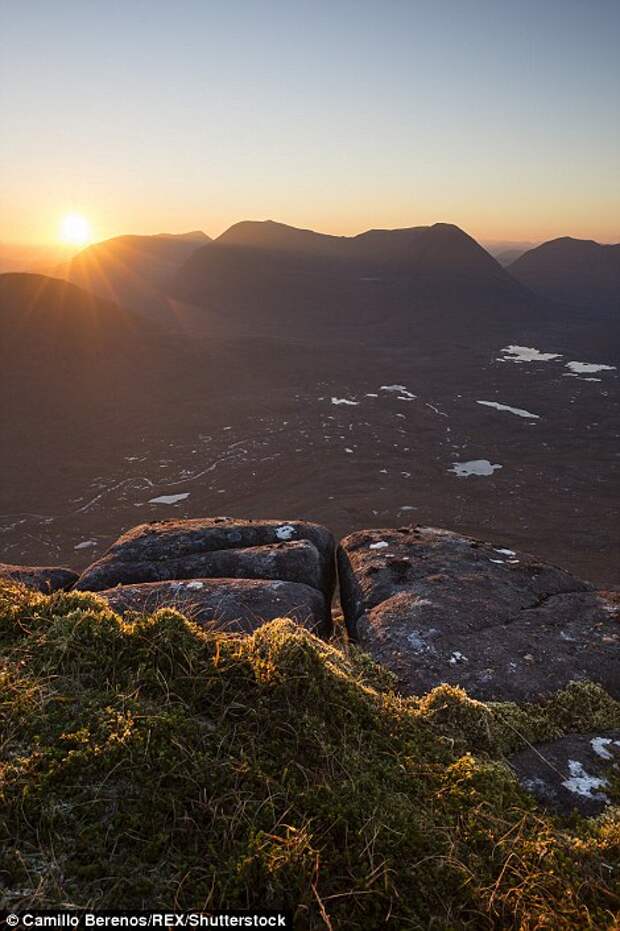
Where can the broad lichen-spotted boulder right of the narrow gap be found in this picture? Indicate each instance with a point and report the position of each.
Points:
(435, 606)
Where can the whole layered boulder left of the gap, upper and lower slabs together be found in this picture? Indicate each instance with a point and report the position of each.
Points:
(235, 574)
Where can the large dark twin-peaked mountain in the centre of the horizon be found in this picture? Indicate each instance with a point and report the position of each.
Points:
(265, 275)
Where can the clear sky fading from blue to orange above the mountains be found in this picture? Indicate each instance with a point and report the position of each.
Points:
(152, 115)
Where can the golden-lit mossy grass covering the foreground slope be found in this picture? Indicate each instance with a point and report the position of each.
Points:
(147, 762)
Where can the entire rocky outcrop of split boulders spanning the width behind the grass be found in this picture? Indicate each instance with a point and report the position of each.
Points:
(431, 605)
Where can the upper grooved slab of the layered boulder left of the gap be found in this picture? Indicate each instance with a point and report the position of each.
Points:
(295, 551)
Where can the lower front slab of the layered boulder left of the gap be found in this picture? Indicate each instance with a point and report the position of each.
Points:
(234, 605)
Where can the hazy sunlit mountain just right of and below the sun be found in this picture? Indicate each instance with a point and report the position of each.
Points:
(132, 270)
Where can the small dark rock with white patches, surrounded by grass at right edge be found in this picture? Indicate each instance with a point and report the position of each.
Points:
(571, 773)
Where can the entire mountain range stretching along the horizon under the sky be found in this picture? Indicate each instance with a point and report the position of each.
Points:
(142, 271)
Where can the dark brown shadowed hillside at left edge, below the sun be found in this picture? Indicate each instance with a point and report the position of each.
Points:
(75, 372)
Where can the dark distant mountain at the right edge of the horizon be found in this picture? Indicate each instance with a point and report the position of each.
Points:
(575, 271)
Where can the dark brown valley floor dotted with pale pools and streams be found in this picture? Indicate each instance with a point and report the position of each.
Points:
(522, 453)
